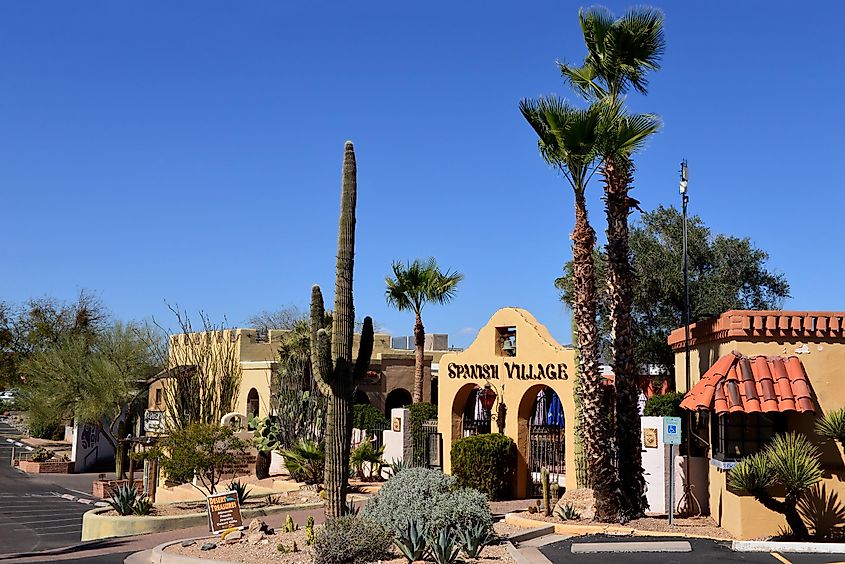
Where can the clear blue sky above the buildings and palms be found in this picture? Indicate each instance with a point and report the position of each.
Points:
(191, 151)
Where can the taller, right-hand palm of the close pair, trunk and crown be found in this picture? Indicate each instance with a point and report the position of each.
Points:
(620, 52)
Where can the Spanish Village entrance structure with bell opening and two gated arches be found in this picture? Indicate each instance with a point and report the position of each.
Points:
(526, 379)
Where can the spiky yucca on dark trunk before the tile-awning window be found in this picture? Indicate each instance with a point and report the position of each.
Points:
(789, 461)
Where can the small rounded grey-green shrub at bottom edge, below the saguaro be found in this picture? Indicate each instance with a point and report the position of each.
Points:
(350, 540)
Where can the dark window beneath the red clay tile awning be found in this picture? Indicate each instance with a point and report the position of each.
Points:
(737, 435)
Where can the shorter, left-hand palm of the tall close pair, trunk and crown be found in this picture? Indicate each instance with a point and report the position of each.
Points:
(569, 140)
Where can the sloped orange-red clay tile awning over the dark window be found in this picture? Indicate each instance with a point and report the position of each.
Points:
(737, 383)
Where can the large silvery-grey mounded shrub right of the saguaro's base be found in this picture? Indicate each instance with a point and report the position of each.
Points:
(428, 498)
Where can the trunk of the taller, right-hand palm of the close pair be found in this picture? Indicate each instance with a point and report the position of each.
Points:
(620, 286)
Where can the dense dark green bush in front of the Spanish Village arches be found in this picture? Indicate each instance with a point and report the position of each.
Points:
(485, 462)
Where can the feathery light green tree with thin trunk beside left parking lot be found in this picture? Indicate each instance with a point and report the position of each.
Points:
(93, 379)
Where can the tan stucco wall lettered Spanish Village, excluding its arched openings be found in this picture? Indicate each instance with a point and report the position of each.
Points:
(535, 348)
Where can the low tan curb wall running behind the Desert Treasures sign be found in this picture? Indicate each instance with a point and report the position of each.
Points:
(96, 526)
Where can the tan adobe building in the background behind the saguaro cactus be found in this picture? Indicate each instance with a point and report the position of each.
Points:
(388, 383)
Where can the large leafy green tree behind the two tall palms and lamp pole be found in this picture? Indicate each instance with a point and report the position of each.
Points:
(726, 272)
